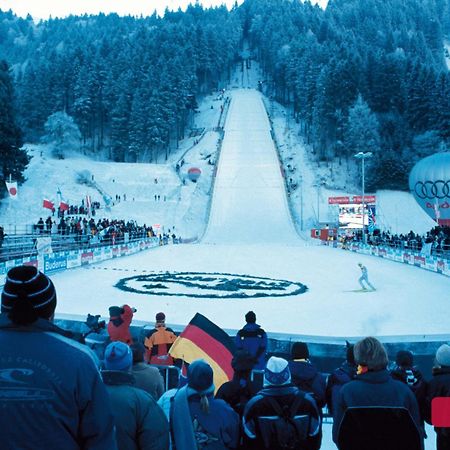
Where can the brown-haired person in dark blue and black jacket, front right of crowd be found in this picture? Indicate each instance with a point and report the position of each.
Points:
(373, 390)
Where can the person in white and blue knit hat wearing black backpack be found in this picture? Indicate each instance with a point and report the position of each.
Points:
(263, 413)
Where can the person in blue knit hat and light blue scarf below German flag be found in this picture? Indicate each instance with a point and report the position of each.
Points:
(197, 416)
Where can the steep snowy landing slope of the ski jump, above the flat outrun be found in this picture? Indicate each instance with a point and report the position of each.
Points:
(249, 204)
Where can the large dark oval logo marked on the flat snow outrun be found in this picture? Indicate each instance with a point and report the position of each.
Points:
(209, 285)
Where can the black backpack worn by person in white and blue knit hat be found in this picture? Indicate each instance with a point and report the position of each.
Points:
(287, 430)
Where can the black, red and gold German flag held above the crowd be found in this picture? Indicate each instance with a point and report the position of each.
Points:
(203, 339)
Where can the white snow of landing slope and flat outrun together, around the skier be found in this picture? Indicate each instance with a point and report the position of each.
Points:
(238, 242)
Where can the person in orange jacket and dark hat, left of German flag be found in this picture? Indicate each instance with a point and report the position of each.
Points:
(159, 341)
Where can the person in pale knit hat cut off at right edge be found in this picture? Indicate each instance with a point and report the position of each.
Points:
(439, 386)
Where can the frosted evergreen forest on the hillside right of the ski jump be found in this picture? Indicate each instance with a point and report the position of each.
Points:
(386, 55)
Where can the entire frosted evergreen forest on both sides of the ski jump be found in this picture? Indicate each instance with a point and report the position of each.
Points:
(361, 75)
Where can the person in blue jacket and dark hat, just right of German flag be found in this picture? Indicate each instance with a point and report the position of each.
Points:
(253, 339)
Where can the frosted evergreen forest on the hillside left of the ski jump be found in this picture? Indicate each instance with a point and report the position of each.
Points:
(129, 83)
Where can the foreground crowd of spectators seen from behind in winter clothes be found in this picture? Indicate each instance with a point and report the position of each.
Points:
(125, 405)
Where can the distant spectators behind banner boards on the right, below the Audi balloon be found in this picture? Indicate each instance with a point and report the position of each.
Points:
(437, 240)
